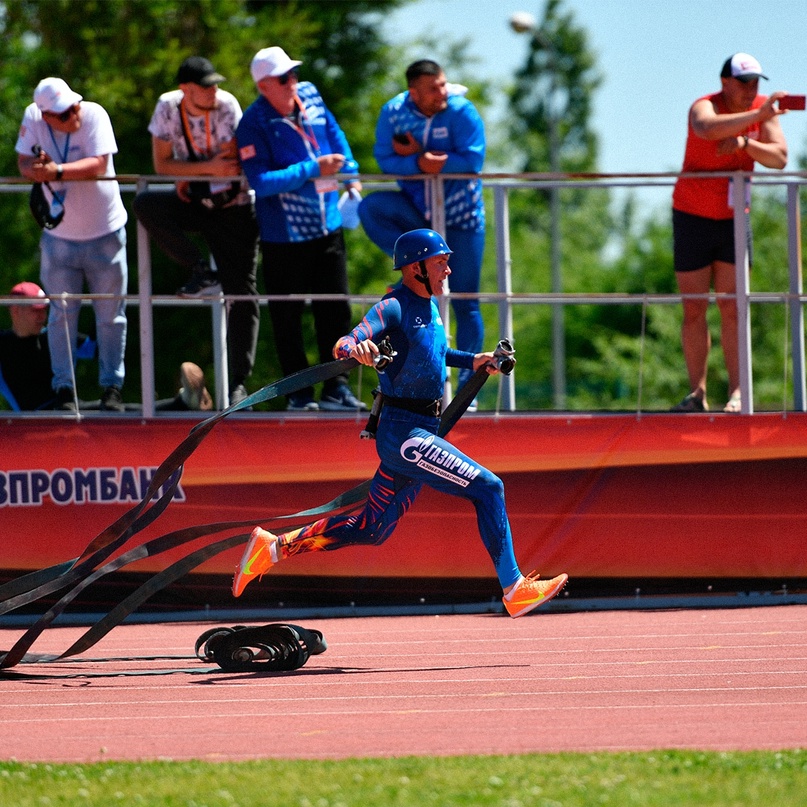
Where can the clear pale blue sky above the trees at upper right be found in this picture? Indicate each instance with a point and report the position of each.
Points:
(657, 57)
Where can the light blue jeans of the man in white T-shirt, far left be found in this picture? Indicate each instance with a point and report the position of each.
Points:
(65, 265)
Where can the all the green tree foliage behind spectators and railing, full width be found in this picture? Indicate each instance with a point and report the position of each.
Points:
(124, 54)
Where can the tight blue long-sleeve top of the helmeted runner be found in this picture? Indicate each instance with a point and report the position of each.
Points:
(416, 333)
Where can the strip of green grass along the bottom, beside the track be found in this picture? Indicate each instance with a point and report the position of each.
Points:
(664, 778)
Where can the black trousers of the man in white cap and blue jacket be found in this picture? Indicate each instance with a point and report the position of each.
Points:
(307, 267)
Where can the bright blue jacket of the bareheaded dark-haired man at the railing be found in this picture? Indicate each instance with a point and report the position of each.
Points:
(458, 131)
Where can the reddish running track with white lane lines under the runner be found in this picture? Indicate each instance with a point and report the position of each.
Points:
(425, 685)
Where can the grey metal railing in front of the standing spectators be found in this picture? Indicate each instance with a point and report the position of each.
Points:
(504, 298)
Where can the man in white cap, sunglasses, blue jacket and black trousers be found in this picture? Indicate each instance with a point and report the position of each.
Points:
(291, 147)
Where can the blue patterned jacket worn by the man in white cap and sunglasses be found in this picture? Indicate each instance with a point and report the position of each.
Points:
(279, 157)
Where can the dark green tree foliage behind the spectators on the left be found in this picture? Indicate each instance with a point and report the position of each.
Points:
(123, 55)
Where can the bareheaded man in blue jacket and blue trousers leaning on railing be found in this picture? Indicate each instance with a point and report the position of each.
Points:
(429, 129)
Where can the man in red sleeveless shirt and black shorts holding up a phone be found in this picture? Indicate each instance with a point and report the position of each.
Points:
(730, 130)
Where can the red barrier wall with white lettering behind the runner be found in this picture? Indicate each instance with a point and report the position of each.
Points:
(596, 496)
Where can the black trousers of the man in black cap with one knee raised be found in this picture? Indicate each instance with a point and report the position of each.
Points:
(231, 234)
